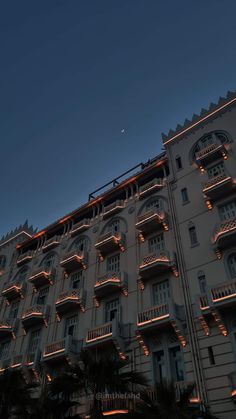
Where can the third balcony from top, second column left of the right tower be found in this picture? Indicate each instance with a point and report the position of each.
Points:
(111, 282)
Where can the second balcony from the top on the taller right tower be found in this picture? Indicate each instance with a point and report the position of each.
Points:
(218, 187)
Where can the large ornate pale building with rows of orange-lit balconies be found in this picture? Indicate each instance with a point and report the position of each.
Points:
(146, 267)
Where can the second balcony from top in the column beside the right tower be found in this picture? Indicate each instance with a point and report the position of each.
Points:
(151, 221)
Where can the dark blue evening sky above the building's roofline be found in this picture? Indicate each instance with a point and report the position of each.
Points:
(74, 73)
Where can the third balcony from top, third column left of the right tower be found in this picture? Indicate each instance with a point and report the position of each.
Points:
(70, 300)
